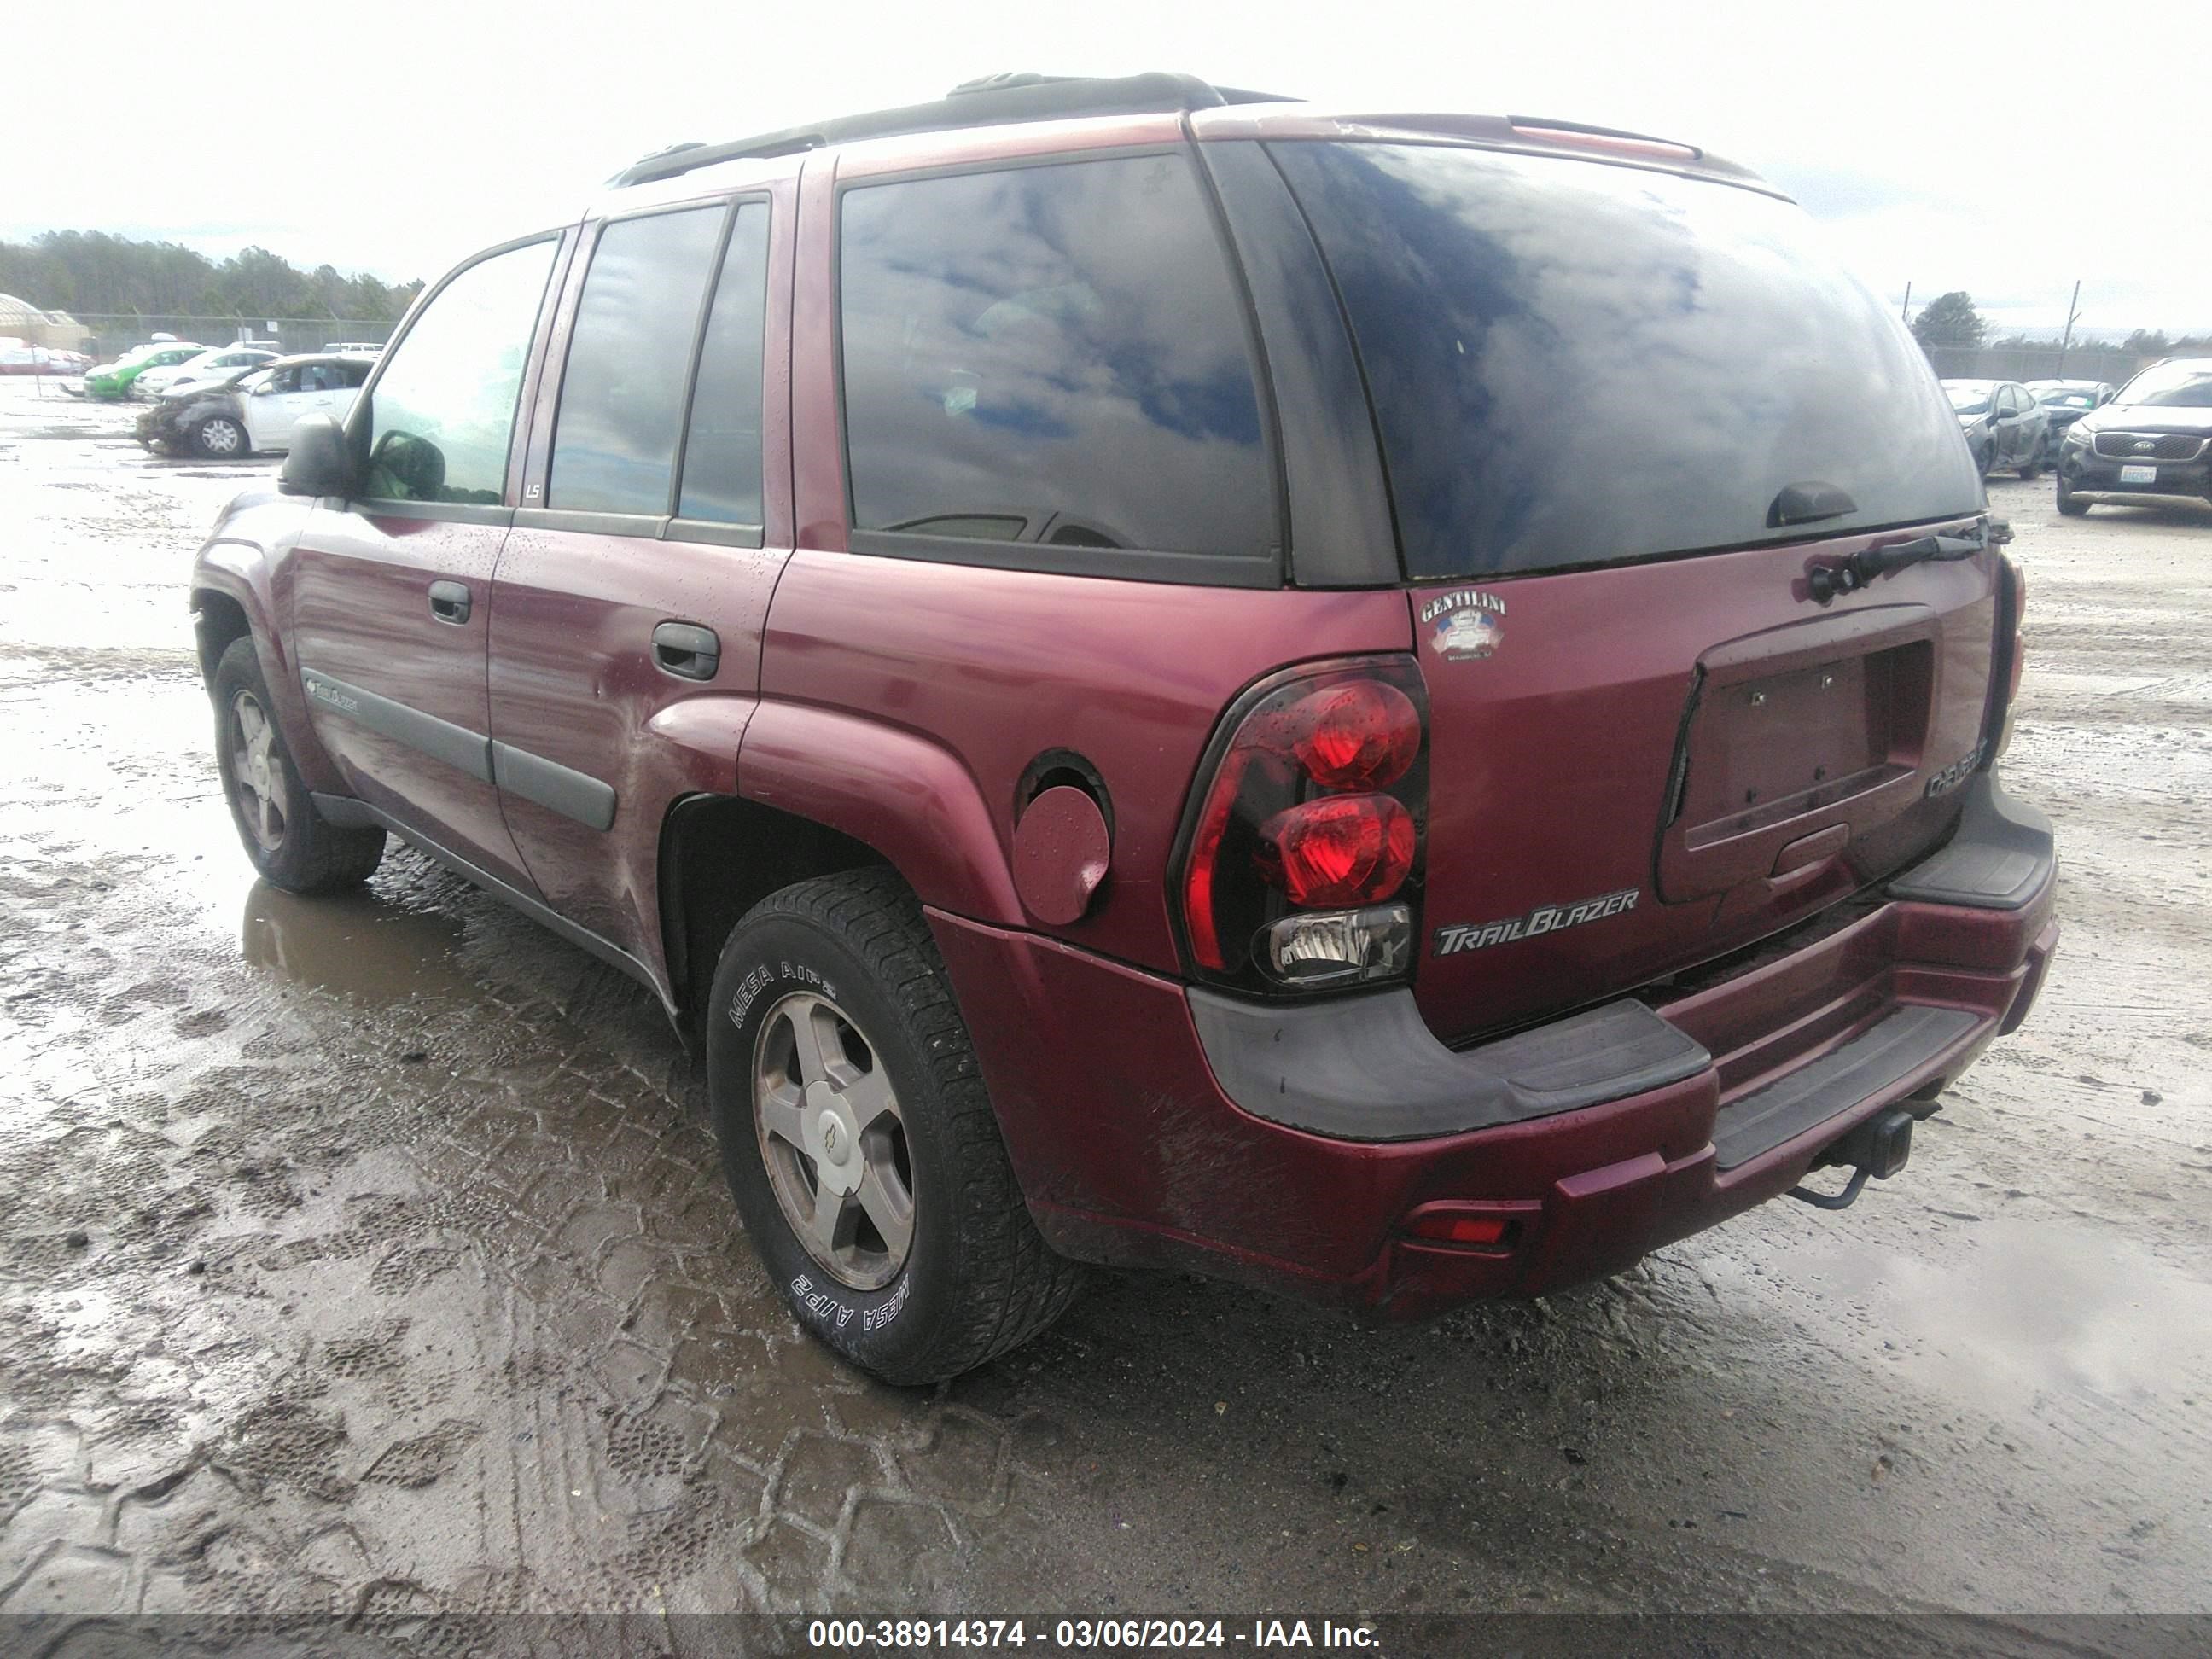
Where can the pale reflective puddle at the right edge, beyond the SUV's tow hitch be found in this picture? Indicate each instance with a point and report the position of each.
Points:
(2025, 1308)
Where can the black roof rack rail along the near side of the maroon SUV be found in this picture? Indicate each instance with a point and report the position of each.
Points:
(992, 101)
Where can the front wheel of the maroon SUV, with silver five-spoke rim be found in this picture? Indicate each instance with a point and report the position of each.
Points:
(286, 839)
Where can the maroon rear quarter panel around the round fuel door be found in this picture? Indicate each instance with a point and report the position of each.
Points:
(992, 669)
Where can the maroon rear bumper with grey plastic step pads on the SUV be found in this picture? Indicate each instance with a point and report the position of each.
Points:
(1154, 1125)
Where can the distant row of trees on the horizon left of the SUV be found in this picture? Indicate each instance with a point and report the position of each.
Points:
(98, 275)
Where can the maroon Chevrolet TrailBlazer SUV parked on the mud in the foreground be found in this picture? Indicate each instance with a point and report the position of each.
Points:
(1395, 707)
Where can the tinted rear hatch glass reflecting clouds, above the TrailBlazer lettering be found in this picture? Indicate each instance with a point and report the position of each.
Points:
(1583, 364)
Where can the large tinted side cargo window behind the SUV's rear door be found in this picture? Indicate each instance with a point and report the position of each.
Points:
(1052, 355)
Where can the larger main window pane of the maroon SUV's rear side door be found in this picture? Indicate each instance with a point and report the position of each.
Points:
(629, 359)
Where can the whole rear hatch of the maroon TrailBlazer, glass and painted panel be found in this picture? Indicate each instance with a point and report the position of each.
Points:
(1625, 415)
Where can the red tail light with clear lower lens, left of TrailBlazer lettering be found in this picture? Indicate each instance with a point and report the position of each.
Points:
(1304, 851)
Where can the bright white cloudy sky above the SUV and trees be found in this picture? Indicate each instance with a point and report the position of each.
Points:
(2003, 149)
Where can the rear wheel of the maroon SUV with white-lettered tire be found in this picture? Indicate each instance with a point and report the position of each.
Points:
(859, 1140)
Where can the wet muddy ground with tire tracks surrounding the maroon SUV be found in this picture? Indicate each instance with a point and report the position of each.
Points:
(373, 1253)
